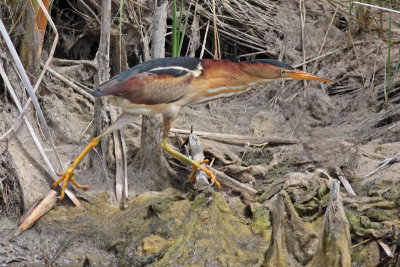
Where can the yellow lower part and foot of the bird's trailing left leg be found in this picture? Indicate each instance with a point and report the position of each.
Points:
(69, 173)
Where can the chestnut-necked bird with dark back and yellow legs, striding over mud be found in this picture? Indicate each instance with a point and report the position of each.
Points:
(166, 85)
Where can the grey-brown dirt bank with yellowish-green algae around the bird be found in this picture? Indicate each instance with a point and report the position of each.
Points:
(345, 125)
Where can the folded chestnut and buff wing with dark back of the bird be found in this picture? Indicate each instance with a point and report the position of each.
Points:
(153, 82)
